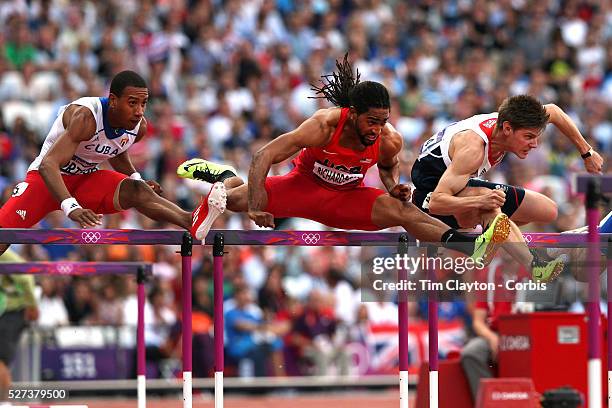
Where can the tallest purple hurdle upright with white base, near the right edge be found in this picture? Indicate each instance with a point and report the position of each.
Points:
(594, 314)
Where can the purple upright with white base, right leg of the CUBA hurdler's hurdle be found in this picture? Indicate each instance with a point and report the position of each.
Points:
(186, 251)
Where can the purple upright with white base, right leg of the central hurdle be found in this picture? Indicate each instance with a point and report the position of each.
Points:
(402, 316)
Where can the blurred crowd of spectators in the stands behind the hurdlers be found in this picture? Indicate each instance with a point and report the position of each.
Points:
(225, 77)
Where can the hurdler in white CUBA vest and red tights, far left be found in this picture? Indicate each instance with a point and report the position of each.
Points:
(67, 175)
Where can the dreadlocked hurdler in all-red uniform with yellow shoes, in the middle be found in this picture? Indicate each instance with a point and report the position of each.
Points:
(337, 146)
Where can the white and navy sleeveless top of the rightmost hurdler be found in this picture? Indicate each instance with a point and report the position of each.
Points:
(434, 158)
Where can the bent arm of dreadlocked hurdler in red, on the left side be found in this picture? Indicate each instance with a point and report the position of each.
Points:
(314, 131)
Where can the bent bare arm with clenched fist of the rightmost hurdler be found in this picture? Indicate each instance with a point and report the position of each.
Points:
(466, 159)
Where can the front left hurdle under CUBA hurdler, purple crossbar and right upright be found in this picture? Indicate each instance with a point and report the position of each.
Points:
(68, 236)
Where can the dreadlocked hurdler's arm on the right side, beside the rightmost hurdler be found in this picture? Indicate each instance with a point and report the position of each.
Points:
(388, 163)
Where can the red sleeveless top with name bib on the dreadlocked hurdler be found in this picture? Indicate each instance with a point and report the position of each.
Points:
(334, 166)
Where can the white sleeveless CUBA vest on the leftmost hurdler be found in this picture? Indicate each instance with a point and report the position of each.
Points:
(106, 143)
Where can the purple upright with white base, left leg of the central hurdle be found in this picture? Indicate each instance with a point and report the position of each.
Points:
(218, 248)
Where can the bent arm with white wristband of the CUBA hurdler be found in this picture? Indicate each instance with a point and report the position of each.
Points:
(80, 125)
